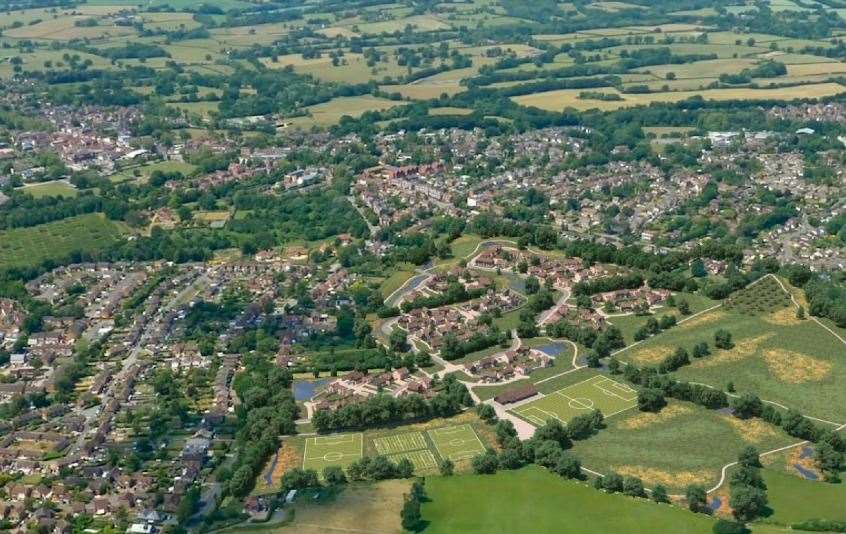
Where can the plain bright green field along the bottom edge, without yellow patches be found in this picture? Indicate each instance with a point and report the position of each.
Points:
(534, 500)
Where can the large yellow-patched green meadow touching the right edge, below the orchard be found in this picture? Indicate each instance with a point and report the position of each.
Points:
(776, 356)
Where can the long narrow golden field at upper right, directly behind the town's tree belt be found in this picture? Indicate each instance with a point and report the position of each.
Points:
(564, 98)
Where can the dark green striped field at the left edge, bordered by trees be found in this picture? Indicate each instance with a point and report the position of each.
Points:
(30, 246)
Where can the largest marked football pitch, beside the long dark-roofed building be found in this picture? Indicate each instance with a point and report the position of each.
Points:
(596, 393)
